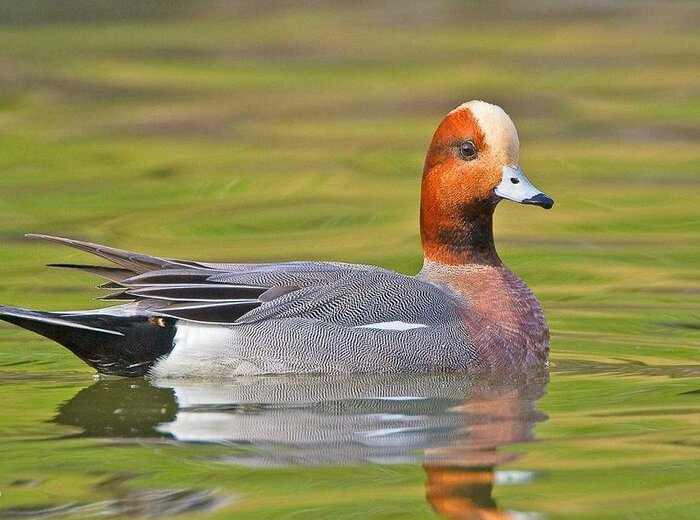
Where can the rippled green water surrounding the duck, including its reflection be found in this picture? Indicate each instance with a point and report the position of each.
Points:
(263, 131)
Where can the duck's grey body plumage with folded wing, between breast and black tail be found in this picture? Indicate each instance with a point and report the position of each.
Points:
(302, 317)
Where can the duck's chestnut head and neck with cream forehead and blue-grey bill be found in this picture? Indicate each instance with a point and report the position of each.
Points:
(472, 164)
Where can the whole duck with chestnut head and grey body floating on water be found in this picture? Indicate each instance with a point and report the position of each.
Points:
(464, 311)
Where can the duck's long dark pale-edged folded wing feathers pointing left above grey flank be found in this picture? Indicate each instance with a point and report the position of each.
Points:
(198, 291)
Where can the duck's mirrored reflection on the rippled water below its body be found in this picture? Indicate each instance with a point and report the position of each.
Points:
(452, 424)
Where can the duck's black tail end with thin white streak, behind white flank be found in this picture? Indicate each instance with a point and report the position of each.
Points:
(112, 344)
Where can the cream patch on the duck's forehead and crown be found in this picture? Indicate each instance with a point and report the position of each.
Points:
(499, 131)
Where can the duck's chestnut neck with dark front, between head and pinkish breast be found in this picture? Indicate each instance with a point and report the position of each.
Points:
(458, 236)
